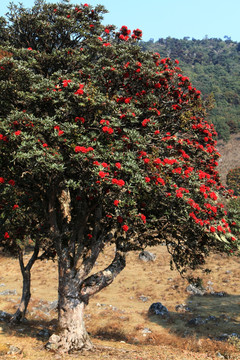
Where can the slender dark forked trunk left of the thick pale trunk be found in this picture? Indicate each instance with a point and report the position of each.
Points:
(19, 315)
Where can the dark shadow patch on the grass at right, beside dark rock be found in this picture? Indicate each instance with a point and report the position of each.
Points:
(207, 316)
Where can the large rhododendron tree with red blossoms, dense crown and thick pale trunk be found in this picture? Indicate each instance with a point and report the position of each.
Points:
(108, 146)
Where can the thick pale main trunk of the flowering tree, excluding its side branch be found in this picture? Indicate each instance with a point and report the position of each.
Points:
(72, 335)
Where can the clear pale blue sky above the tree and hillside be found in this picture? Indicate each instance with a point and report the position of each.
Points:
(174, 18)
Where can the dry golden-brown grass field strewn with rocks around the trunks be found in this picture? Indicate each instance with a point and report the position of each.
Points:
(117, 318)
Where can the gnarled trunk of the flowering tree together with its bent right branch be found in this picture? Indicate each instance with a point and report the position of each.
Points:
(74, 294)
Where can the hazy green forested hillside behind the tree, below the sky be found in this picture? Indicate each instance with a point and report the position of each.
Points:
(213, 65)
